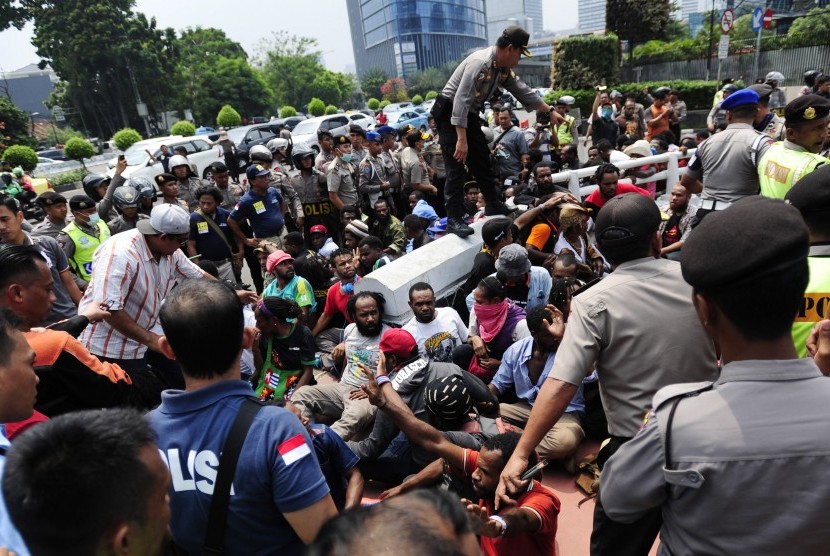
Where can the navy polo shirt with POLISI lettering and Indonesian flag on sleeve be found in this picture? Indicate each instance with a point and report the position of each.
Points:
(278, 471)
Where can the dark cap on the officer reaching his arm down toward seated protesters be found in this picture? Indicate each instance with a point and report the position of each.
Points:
(625, 219)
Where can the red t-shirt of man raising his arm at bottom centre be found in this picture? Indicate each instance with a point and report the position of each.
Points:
(538, 499)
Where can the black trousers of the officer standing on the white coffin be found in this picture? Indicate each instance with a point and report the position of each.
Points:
(478, 162)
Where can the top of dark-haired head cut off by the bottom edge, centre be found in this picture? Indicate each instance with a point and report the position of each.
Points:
(424, 522)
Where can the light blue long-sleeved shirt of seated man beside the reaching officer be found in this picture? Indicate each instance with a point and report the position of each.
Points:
(513, 372)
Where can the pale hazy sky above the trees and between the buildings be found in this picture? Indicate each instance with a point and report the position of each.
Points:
(250, 21)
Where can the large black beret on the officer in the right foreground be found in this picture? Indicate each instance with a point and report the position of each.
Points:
(773, 237)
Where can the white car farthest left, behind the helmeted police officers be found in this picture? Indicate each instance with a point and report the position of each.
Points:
(142, 161)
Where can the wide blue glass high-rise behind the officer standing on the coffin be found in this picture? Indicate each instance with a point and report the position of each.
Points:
(404, 36)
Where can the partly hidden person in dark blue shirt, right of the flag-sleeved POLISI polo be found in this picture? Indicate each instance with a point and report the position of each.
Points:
(337, 462)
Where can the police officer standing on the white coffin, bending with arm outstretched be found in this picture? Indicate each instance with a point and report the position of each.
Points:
(481, 75)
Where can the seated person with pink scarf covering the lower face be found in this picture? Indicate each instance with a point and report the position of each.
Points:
(495, 324)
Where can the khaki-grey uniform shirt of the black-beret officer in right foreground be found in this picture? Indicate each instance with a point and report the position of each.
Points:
(744, 470)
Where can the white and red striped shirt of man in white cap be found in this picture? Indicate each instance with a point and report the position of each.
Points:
(127, 277)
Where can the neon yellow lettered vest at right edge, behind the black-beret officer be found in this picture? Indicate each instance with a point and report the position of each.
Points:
(816, 303)
